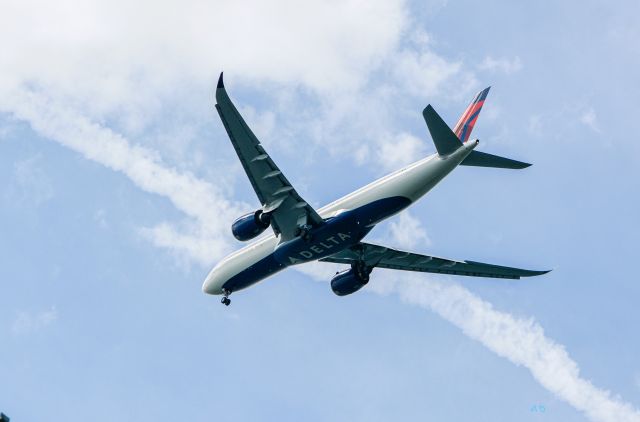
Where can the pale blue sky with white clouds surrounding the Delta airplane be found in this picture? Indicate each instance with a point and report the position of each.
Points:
(118, 186)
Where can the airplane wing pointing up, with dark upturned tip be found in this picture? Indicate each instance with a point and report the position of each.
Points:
(288, 210)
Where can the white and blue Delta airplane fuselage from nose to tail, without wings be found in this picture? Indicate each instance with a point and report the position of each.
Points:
(347, 221)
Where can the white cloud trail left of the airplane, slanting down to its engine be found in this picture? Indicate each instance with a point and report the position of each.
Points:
(207, 237)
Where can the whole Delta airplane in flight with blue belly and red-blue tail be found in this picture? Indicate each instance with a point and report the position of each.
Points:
(335, 232)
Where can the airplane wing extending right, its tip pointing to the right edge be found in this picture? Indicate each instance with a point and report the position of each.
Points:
(382, 257)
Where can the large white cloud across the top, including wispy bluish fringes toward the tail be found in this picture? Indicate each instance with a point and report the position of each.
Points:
(130, 64)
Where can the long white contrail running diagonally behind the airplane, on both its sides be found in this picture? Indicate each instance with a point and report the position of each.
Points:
(520, 340)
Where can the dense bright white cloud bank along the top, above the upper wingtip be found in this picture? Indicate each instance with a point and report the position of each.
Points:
(107, 56)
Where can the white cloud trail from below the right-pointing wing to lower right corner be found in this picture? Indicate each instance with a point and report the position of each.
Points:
(520, 340)
